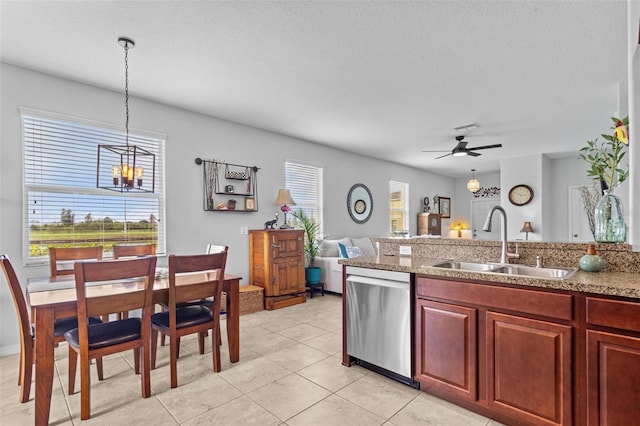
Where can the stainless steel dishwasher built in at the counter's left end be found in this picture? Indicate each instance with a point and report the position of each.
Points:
(378, 321)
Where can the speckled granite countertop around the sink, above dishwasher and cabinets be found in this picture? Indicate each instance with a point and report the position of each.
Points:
(625, 284)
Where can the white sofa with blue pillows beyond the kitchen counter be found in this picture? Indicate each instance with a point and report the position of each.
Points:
(329, 254)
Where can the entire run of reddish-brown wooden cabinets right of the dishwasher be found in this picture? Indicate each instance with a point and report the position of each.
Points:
(535, 357)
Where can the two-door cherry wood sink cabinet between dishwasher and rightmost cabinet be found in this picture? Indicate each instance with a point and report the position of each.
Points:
(505, 352)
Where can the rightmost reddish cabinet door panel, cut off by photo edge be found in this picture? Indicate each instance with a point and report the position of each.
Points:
(613, 379)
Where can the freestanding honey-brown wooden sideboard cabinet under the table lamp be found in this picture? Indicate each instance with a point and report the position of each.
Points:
(276, 263)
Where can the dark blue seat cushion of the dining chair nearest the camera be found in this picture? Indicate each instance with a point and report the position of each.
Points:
(108, 333)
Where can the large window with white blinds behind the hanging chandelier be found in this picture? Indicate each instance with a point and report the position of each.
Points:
(62, 205)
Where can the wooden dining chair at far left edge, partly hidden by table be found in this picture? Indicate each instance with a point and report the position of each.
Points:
(27, 337)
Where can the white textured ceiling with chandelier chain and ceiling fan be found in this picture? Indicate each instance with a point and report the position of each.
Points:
(385, 79)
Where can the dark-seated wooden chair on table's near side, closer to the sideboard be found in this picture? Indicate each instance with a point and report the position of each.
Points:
(193, 318)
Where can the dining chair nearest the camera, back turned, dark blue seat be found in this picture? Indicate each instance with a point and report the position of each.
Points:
(93, 341)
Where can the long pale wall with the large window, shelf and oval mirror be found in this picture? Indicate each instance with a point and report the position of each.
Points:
(189, 135)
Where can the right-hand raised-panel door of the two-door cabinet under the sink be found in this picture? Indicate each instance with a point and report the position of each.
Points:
(529, 369)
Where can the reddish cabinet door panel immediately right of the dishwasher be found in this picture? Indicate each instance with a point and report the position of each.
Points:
(446, 347)
